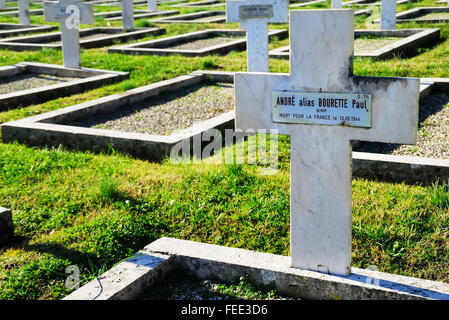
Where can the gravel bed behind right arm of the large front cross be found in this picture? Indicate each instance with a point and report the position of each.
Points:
(433, 134)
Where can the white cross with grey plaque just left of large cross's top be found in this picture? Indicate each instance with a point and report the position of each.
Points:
(253, 16)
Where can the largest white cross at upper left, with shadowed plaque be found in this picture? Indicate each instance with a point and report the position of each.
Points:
(69, 13)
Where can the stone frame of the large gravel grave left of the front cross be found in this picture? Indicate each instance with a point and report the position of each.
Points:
(46, 129)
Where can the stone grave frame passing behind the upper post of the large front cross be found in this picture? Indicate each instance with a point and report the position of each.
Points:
(415, 38)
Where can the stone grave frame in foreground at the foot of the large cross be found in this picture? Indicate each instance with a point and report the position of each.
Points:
(128, 279)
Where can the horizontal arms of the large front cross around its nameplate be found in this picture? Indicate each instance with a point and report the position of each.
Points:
(394, 105)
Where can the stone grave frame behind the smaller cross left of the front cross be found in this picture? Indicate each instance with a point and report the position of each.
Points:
(157, 46)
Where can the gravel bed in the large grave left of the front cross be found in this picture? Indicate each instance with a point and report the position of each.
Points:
(168, 113)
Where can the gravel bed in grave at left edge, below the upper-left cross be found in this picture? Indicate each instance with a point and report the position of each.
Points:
(30, 81)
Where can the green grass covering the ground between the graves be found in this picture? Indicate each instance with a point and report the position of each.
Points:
(94, 210)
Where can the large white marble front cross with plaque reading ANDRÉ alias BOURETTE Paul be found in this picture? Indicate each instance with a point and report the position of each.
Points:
(321, 64)
